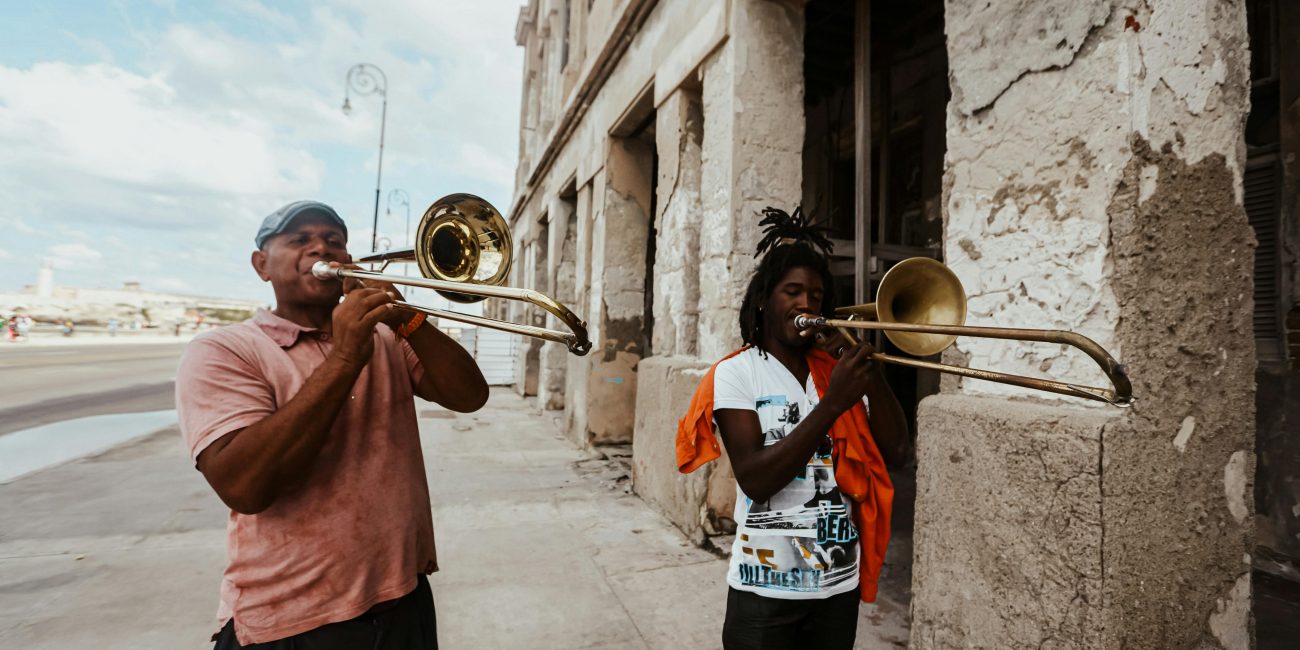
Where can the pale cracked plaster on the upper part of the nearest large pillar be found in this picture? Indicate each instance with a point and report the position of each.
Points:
(1035, 154)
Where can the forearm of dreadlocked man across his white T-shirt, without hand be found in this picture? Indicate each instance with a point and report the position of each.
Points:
(766, 471)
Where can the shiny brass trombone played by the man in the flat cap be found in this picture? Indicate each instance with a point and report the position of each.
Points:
(463, 250)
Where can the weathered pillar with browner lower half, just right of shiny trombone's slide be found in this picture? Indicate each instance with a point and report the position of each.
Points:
(622, 232)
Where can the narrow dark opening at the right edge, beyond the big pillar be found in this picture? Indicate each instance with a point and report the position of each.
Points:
(1271, 198)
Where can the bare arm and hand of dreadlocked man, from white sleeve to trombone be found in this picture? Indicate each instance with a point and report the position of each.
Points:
(765, 471)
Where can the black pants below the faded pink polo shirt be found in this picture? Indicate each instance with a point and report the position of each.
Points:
(408, 623)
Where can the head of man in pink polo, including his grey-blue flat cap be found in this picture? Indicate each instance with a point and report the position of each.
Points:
(287, 262)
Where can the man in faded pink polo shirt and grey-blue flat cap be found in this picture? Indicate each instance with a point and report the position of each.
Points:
(304, 422)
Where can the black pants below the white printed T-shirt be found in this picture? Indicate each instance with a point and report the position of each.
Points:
(760, 623)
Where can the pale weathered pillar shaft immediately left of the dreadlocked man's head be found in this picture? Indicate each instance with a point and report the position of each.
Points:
(753, 105)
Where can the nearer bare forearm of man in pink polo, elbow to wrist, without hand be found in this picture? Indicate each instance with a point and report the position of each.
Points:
(265, 460)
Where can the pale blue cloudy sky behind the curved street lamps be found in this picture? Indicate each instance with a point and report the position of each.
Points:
(145, 141)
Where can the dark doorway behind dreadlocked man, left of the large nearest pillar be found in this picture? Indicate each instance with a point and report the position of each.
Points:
(876, 103)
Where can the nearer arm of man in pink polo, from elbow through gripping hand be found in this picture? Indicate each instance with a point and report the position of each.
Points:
(252, 467)
